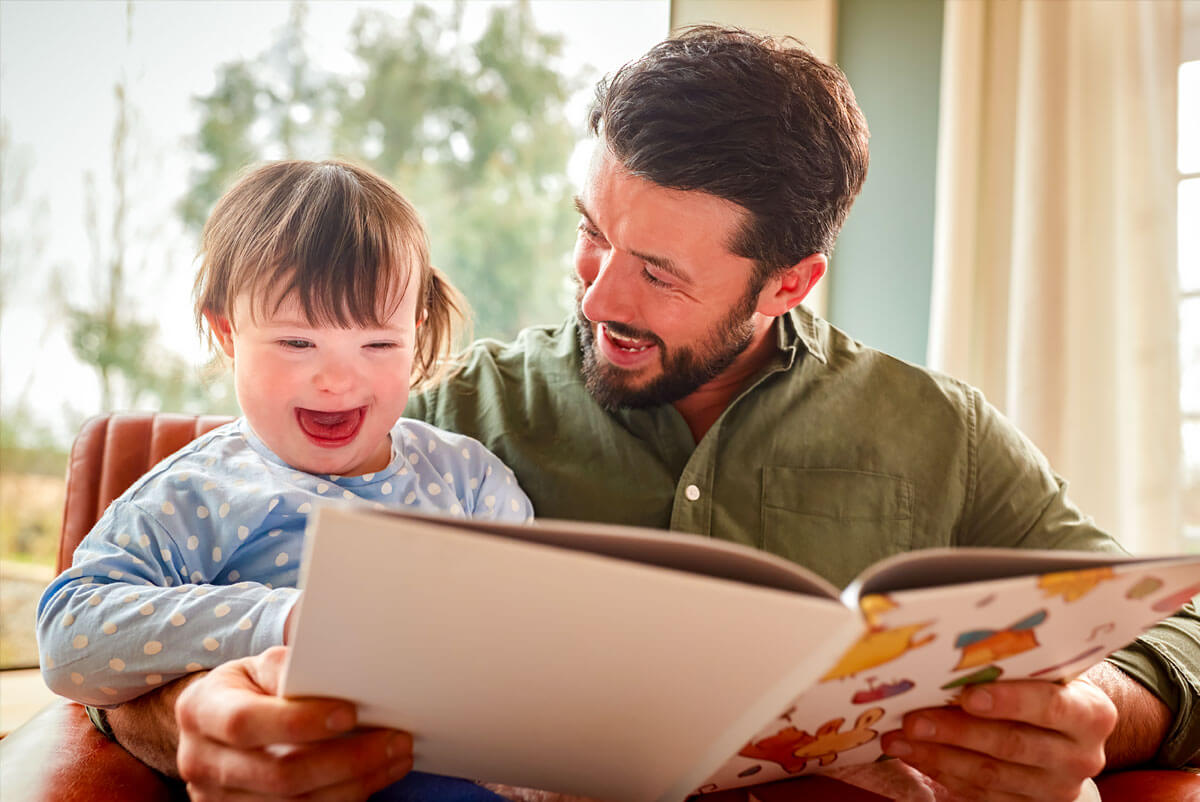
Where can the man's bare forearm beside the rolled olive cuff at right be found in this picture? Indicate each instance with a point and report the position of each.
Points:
(1143, 723)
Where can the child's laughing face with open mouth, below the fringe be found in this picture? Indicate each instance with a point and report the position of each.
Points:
(323, 399)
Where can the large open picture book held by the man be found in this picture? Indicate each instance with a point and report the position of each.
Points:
(635, 665)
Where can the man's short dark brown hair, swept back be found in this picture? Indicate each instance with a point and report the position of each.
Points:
(764, 124)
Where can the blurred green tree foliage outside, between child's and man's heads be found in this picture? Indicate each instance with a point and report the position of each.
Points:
(473, 133)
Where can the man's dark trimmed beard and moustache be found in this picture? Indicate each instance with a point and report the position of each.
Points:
(685, 369)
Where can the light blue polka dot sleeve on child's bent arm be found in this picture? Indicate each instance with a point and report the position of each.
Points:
(137, 611)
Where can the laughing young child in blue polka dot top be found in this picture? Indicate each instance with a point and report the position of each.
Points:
(316, 282)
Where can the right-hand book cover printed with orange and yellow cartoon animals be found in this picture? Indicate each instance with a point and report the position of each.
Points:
(922, 648)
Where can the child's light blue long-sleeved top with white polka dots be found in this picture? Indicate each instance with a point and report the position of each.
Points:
(197, 562)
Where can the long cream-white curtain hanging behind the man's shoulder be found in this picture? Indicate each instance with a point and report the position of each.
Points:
(1055, 286)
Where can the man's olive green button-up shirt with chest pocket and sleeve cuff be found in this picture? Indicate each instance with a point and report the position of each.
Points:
(836, 457)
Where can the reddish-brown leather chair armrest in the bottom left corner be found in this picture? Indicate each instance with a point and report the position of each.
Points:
(58, 756)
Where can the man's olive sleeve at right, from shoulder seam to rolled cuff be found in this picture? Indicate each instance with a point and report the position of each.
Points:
(1016, 500)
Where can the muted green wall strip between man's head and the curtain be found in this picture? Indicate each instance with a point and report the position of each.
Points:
(883, 268)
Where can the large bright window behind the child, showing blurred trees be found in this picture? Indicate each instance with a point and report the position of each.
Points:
(157, 109)
